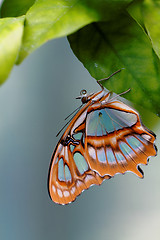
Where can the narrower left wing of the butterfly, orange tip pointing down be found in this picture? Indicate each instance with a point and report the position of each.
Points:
(69, 172)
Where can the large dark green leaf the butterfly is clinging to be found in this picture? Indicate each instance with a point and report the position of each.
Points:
(106, 47)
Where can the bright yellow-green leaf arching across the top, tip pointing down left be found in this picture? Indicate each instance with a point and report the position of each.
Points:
(50, 19)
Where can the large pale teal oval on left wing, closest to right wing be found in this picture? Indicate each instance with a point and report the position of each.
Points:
(80, 162)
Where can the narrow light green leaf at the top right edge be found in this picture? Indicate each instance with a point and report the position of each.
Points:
(151, 16)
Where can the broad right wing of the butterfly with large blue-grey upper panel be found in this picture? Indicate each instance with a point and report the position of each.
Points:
(116, 141)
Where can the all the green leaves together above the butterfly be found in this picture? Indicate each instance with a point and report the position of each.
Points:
(105, 35)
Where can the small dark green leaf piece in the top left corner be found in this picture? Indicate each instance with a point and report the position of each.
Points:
(15, 8)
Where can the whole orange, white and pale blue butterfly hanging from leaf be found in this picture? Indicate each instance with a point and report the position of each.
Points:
(105, 137)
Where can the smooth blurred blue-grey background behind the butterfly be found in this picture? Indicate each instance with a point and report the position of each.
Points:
(34, 101)
